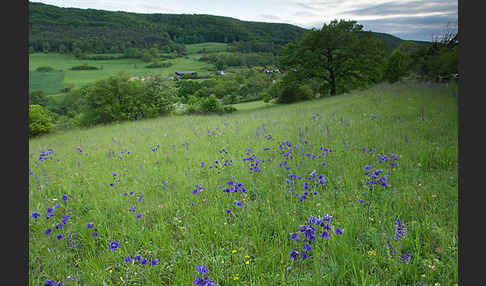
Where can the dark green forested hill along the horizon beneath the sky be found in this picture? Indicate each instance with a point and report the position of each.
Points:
(56, 29)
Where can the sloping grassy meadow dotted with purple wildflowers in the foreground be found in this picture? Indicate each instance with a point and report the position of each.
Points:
(357, 189)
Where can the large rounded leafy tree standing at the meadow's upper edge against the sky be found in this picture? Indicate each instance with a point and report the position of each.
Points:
(341, 54)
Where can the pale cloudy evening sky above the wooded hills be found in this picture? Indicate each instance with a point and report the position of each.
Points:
(406, 19)
